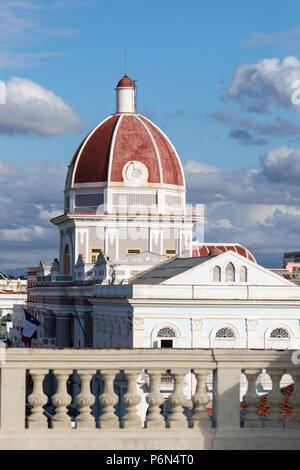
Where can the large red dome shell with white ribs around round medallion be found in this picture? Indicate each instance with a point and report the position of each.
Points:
(124, 138)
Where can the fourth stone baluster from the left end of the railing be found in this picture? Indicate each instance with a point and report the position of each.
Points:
(108, 400)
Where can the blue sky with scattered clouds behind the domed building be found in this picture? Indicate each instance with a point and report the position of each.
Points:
(221, 79)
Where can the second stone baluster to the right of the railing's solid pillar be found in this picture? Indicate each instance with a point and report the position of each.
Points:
(275, 399)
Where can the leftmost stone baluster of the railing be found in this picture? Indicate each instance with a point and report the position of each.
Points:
(37, 399)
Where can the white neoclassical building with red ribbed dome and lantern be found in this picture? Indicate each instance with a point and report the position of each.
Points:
(129, 273)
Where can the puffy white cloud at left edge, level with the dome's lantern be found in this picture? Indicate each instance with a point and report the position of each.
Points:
(31, 109)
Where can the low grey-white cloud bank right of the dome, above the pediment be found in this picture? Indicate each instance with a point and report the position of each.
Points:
(258, 207)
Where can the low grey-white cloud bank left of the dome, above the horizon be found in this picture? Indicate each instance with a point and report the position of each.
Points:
(29, 197)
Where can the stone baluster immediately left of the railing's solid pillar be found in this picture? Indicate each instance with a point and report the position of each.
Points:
(200, 400)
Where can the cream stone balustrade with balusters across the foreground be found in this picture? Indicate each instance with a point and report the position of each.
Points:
(115, 418)
